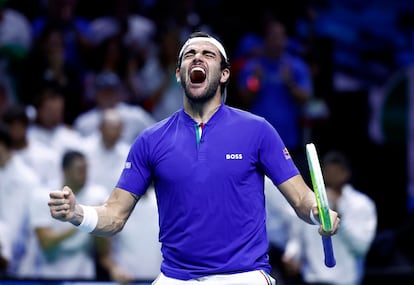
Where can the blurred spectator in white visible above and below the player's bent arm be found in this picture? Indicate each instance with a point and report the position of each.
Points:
(106, 155)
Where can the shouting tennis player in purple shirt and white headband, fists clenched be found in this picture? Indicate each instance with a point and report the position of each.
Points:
(207, 162)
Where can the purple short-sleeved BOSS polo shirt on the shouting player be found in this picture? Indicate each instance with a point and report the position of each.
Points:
(210, 191)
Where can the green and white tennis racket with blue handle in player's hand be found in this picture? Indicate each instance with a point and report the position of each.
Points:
(322, 201)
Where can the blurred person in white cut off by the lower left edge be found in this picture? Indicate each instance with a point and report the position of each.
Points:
(17, 181)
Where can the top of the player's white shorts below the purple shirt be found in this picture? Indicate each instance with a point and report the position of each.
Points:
(257, 277)
